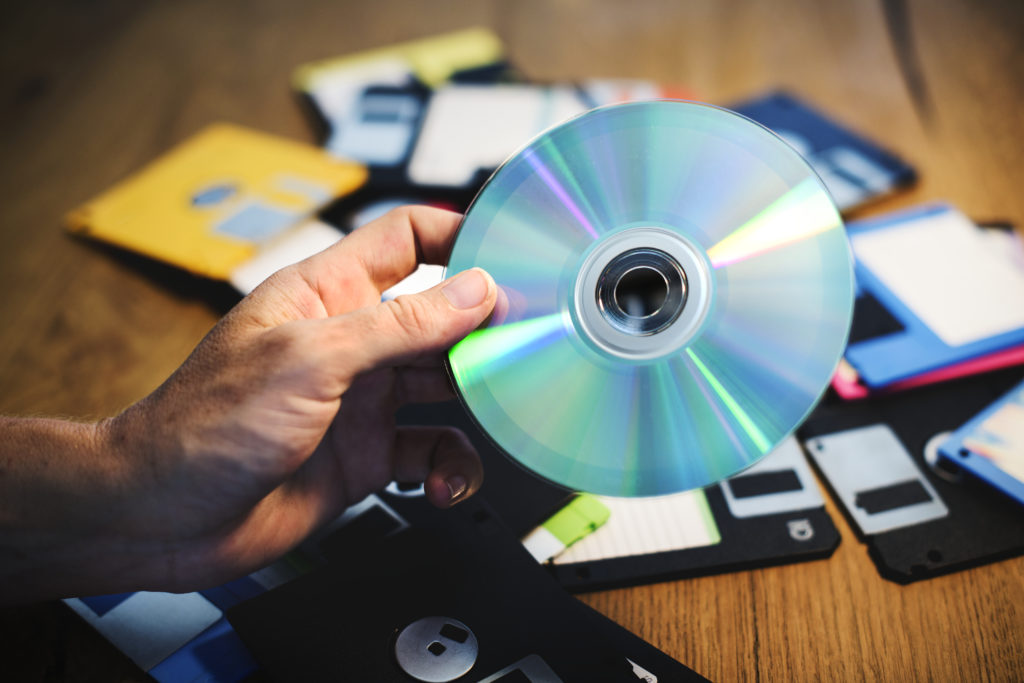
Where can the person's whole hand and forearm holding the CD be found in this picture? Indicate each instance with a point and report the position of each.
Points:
(282, 417)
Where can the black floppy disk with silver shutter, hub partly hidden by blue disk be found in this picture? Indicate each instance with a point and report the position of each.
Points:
(919, 518)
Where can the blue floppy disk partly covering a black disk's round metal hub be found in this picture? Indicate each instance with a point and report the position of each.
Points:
(992, 445)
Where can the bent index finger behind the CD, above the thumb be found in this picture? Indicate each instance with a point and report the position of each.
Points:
(381, 254)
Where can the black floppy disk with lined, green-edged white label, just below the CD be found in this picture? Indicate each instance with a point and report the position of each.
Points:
(773, 514)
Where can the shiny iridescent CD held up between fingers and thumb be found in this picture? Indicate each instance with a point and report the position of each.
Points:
(675, 292)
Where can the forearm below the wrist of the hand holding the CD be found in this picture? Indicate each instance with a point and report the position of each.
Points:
(64, 495)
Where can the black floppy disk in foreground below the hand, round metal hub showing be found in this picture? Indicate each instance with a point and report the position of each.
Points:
(415, 593)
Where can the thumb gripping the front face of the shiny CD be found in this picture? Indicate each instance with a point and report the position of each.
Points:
(398, 331)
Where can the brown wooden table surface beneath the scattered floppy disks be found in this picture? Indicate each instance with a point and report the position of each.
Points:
(94, 91)
